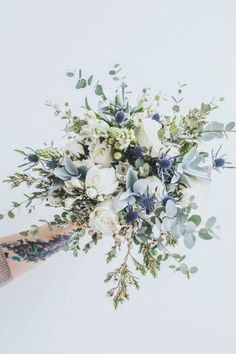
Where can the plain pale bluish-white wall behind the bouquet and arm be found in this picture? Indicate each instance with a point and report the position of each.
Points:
(61, 306)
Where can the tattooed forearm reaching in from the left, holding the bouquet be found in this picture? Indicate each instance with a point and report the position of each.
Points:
(18, 254)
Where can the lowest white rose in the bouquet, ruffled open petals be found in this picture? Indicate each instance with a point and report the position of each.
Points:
(104, 219)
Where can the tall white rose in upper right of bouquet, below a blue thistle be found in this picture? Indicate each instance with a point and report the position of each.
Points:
(147, 136)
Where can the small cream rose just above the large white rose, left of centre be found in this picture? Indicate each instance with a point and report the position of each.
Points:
(100, 153)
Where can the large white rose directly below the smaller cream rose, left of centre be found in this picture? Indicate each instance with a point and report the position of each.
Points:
(102, 180)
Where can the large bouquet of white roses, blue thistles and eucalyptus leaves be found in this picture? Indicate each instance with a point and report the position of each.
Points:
(128, 172)
